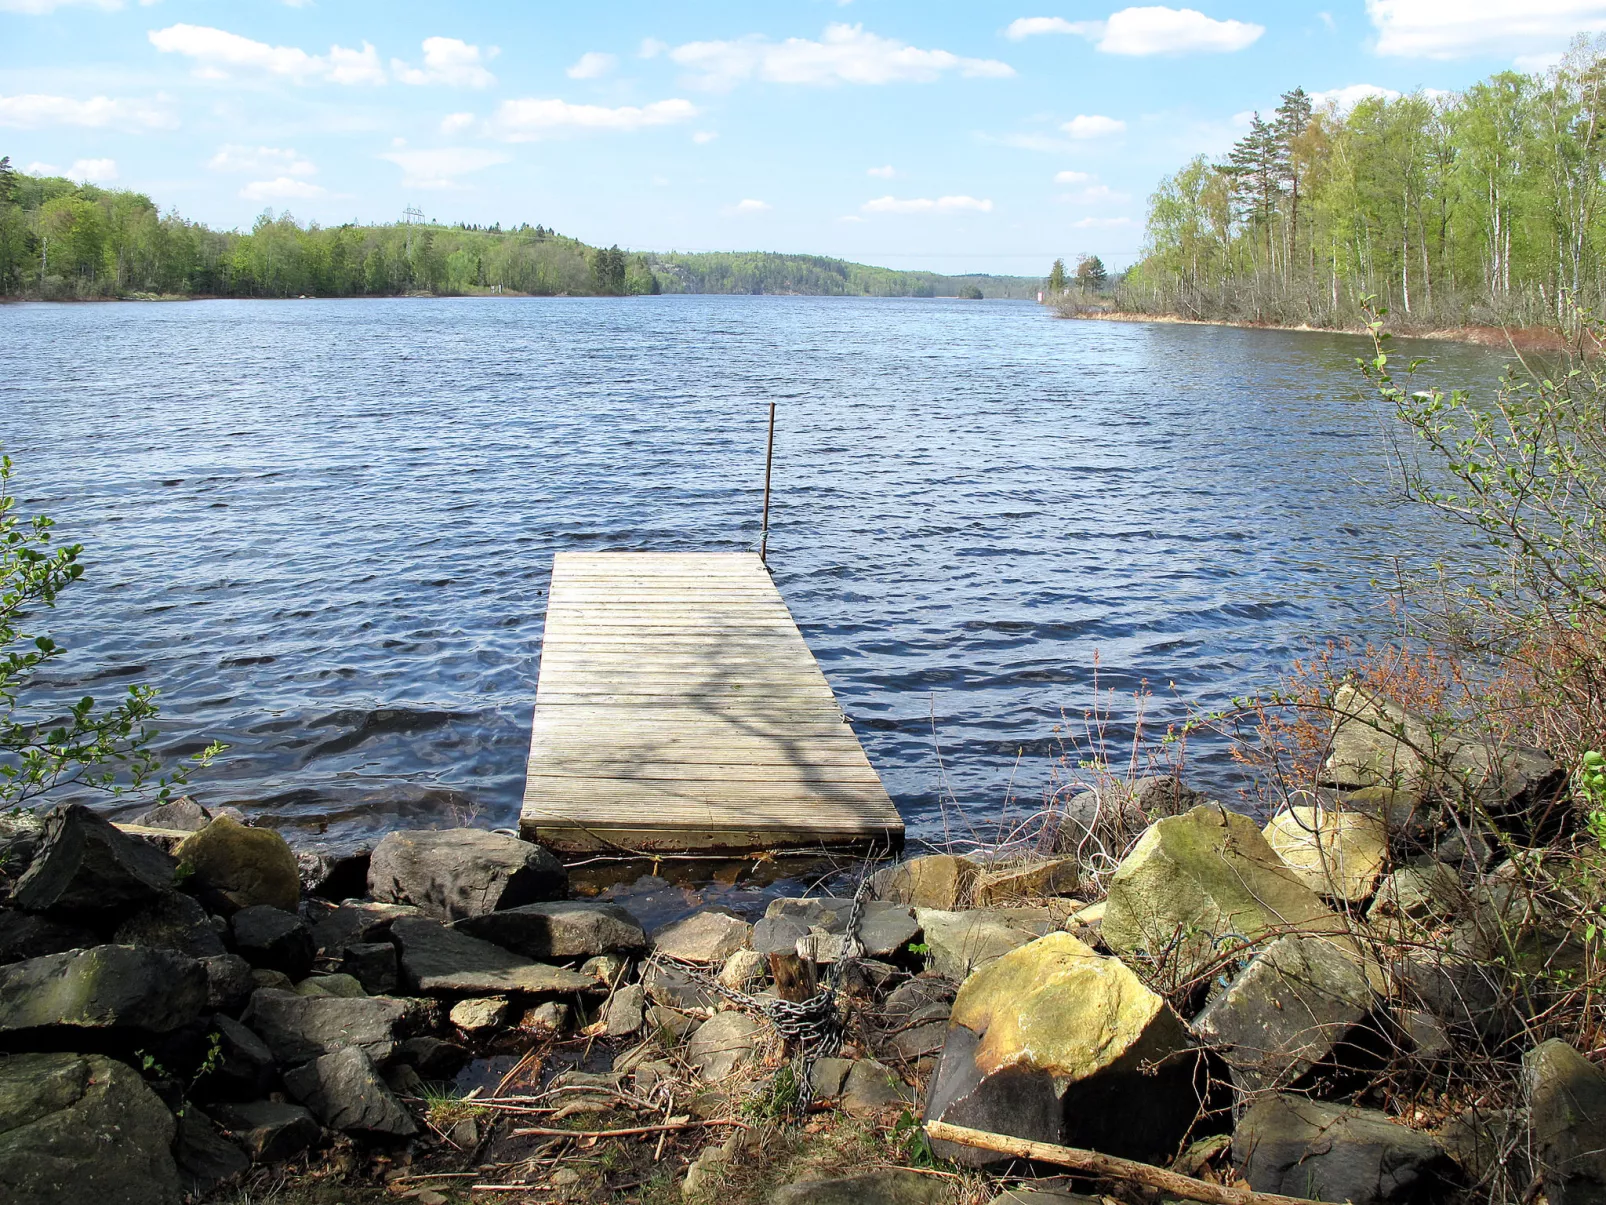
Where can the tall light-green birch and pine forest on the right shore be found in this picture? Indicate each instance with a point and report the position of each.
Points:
(1446, 210)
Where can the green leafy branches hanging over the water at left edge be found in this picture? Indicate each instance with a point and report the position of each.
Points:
(47, 745)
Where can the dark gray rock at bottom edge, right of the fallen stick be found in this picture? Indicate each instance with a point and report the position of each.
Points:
(1329, 1153)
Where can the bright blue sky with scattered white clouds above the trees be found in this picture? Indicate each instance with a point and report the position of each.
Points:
(984, 137)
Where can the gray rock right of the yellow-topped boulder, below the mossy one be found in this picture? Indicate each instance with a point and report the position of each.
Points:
(1286, 1013)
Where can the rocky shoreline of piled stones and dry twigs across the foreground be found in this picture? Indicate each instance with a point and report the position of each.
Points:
(1358, 1000)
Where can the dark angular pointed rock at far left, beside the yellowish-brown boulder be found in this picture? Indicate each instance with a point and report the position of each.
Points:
(88, 868)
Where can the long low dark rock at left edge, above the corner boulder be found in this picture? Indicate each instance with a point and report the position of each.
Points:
(104, 987)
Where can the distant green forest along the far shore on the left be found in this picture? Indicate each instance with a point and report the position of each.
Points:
(63, 240)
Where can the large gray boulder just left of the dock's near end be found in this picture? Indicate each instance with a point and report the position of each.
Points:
(457, 873)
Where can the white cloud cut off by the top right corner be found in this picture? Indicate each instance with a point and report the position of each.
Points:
(1459, 28)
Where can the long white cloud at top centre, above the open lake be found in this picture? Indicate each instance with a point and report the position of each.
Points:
(844, 55)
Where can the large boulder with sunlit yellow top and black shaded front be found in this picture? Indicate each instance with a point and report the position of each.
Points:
(1056, 1044)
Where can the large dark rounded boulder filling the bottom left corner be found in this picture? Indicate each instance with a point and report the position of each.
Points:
(81, 1129)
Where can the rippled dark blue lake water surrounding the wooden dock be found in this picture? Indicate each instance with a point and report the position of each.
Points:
(325, 529)
